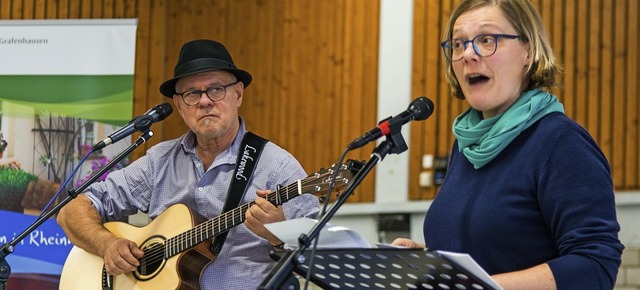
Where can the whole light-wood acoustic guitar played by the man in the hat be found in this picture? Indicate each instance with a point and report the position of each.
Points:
(177, 244)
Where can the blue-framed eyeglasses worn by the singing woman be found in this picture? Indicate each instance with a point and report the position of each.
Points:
(483, 44)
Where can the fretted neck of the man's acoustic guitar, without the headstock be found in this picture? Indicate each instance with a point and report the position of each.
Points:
(226, 221)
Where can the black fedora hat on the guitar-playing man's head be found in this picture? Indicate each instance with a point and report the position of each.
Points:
(202, 55)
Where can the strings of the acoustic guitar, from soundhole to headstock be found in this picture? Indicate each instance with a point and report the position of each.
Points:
(199, 233)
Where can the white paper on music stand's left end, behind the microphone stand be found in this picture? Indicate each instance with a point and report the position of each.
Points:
(331, 236)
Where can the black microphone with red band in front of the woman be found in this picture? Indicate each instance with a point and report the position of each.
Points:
(419, 109)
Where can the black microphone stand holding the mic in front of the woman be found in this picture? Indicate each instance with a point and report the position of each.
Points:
(280, 276)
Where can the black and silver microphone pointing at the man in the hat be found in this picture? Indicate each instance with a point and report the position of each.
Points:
(140, 123)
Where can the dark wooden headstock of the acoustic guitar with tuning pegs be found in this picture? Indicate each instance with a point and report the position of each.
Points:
(318, 183)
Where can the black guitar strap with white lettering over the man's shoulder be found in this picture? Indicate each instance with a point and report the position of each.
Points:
(248, 156)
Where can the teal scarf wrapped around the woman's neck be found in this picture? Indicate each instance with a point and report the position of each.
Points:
(482, 140)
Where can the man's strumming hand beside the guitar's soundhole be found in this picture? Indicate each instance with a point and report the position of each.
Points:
(121, 256)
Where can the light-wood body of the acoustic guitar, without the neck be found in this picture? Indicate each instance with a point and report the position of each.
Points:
(83, 270)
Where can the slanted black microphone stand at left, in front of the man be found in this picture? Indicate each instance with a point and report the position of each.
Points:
(8, 248)
